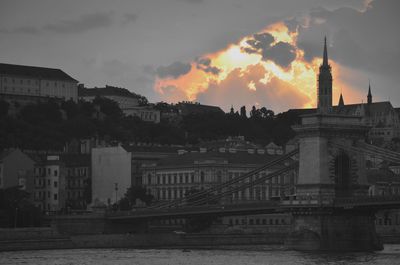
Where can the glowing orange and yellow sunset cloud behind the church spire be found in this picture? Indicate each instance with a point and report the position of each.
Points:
(254, 71)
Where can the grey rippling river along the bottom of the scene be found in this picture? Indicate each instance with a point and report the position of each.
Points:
(249, 255)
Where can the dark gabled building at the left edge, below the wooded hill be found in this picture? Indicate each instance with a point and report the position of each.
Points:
(16, 169)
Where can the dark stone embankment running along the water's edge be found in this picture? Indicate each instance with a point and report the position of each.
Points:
(46, 238)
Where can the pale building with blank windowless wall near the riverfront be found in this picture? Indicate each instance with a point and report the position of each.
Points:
(111, 174)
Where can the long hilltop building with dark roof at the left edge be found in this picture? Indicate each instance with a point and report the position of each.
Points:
(21, 83)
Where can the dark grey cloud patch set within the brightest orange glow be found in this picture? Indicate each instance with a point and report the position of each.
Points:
(281, 53)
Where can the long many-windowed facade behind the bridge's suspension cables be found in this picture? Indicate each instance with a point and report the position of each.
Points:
(172, 177)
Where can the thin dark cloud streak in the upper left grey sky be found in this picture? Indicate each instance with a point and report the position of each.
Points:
(83, 24)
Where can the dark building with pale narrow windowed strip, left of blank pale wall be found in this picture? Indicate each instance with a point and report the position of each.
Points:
(62, 182)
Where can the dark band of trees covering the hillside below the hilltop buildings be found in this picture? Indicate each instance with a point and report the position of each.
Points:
(49, 125)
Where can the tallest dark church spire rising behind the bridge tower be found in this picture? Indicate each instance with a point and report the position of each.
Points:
(325, 85)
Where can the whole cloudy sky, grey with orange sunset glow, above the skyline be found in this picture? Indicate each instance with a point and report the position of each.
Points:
(216, 52)
